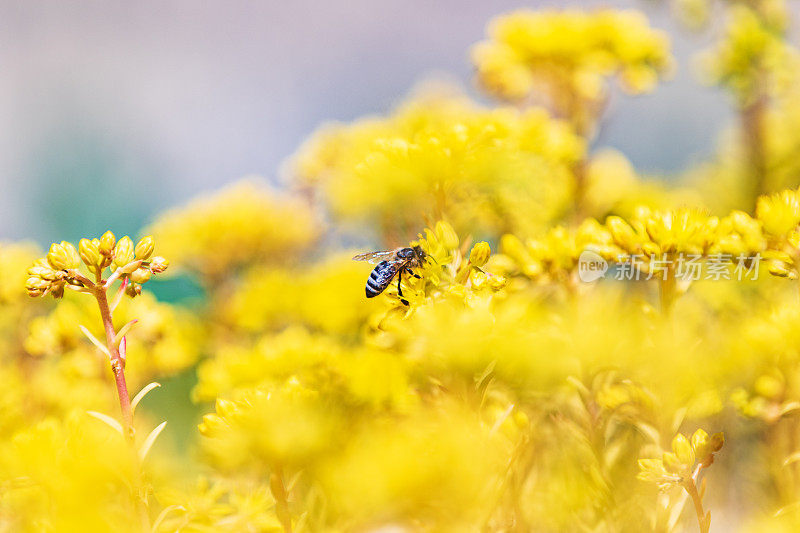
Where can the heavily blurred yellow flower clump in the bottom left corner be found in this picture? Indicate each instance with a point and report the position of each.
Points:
(50, 470)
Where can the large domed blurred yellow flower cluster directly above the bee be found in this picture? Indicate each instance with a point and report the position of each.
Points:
(443, 156)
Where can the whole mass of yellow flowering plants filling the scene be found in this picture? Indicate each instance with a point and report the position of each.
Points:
(500, 391)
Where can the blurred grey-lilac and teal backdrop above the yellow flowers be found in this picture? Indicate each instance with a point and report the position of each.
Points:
(112, 112)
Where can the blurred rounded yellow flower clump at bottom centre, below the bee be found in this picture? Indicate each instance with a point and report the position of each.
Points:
(429, 470)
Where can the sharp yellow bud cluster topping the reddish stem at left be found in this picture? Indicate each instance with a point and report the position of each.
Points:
(59, 269)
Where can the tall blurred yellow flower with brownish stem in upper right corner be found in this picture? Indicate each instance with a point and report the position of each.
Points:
(755, 60)
